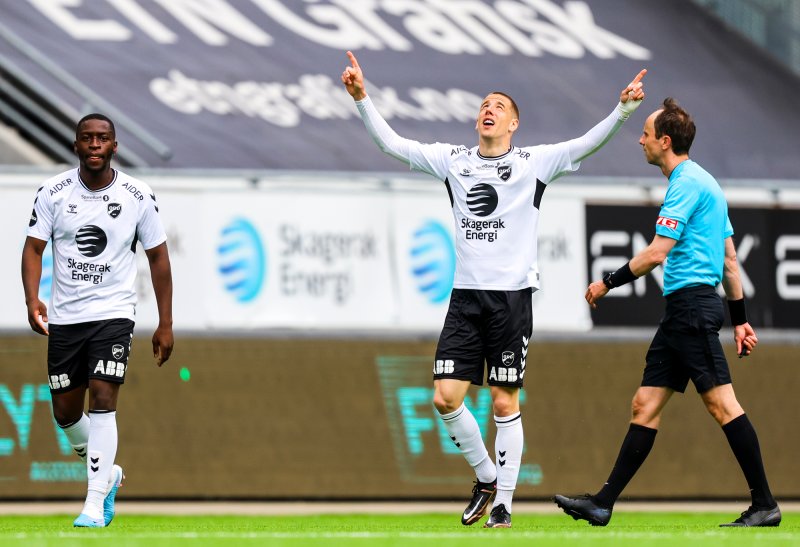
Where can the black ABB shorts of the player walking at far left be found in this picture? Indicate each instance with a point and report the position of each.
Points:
(96, 349)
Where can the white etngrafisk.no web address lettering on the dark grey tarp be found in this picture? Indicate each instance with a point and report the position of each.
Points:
(315, 95)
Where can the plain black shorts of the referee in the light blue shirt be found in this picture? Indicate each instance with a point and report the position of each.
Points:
(686, 345)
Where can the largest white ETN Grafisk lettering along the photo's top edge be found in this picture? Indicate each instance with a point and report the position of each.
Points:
(504, 27)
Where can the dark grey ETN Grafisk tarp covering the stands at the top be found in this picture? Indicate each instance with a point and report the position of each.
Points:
(267, 93)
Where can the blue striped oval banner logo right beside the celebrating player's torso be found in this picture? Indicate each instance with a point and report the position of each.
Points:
(433, 261)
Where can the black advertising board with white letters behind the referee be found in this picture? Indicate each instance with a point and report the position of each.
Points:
(768, 251)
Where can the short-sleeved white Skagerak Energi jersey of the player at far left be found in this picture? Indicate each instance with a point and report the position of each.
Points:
(94, 235)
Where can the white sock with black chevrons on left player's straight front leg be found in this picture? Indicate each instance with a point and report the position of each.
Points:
(102, 449)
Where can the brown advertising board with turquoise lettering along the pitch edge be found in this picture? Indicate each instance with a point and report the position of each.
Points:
(314, 418)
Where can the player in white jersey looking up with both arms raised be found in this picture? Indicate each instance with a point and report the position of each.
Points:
(495, 192)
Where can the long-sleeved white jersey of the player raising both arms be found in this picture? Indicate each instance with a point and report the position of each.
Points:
(495, 200)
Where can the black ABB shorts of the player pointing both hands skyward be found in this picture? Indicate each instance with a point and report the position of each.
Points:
(491, 327)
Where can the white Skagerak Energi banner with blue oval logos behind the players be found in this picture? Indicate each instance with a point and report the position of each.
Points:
(315, 256)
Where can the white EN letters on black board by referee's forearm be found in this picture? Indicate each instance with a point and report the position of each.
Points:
(602, 264)
